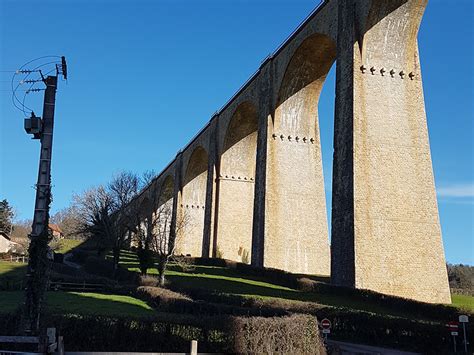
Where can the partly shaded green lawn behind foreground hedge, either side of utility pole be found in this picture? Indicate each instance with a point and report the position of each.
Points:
(82, 303)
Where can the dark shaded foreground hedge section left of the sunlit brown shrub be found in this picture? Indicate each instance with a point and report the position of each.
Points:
(164, 333)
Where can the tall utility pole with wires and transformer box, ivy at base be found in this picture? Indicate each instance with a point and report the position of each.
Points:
(38, 264)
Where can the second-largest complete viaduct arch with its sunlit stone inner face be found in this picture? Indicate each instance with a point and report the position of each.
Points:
(235, 185)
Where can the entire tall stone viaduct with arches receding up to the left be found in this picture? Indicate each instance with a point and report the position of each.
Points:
(251, 181)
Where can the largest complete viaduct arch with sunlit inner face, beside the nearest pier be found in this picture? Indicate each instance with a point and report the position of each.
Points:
(296, 228)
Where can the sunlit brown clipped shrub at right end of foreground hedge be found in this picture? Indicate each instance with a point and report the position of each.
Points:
(296, 334)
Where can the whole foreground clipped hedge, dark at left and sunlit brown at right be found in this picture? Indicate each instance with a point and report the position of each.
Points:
(173, 332)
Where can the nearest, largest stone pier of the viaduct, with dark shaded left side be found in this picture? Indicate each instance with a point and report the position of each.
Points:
(392, 241)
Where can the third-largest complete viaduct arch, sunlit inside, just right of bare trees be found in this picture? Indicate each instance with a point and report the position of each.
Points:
(193, 200)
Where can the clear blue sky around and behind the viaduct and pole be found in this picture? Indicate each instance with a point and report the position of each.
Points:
(145, 76)
